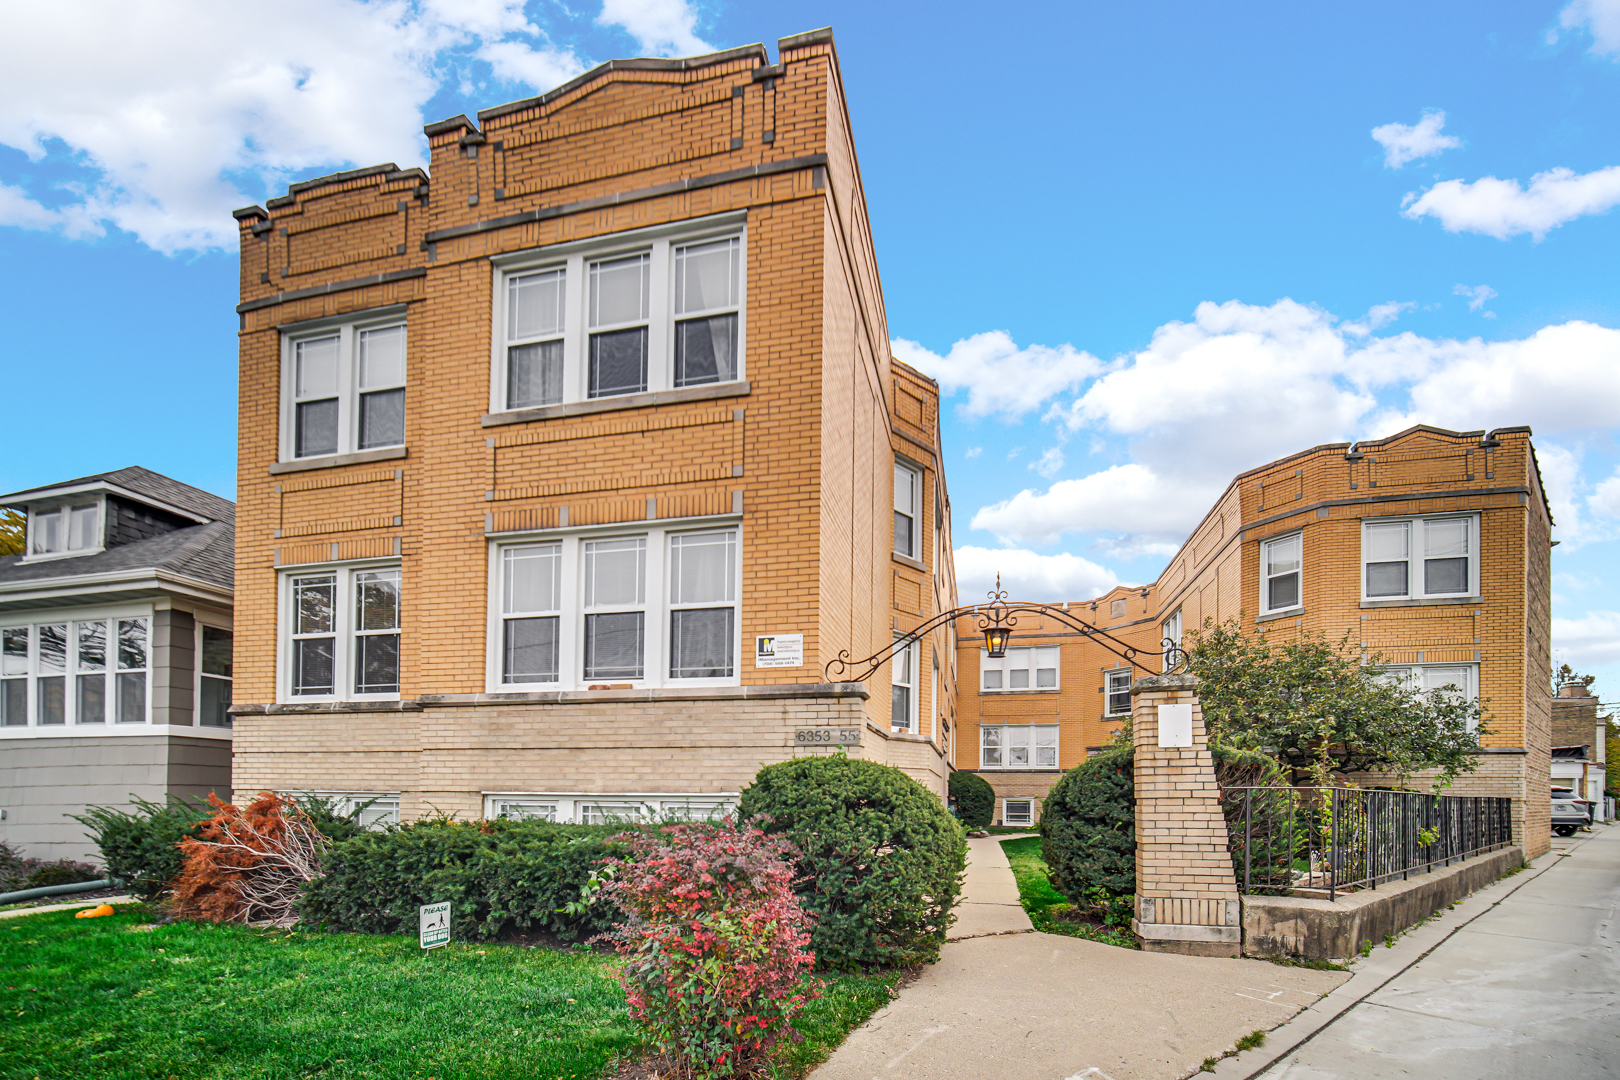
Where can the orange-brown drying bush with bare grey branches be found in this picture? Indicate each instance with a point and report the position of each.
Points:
(250, 864)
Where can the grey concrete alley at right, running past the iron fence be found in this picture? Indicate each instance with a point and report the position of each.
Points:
(1520, 980)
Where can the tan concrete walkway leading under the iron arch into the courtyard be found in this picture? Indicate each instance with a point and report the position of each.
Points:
(1005, 1003)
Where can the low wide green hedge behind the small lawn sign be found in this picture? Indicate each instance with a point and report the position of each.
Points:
(497, 875)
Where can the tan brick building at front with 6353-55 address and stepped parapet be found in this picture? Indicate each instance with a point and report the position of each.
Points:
(568, 464)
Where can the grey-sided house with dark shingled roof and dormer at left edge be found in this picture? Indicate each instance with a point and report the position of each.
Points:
(116, 653)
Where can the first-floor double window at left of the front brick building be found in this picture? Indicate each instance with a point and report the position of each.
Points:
(341, 634)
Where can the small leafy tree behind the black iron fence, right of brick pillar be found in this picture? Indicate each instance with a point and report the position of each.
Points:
(1321, 710)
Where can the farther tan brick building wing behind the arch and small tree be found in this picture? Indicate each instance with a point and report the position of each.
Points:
(1431, 548)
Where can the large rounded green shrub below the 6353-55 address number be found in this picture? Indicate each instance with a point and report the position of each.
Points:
(880, 857)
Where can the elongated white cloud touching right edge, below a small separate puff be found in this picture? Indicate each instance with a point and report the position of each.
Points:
(1504, 208)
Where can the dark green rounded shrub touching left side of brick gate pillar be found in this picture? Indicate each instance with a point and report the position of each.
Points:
(1088, 830)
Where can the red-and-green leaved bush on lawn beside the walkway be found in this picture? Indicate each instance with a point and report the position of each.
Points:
(714, 943)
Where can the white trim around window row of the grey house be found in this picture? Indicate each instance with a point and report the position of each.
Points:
(72, 726)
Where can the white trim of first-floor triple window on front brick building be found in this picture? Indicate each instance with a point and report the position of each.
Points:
(571, 647)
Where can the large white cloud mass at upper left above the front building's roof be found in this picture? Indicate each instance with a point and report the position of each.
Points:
(173, 103)
